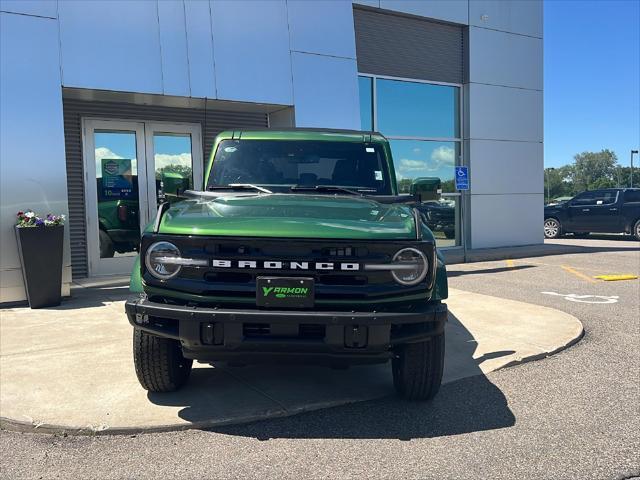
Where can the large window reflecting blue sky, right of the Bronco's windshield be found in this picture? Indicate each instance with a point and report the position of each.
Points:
(422, 122)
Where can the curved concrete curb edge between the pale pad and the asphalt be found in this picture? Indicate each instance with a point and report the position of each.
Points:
(22, 426)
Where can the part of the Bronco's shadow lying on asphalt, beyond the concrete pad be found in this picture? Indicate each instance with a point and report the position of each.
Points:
(469, 405)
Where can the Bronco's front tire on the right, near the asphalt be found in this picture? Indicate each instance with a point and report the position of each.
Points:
(417, 368)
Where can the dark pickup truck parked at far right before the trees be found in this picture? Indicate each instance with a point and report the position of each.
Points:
(611, 210)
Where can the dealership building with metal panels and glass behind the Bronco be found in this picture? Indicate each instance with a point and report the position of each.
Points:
(92, 89)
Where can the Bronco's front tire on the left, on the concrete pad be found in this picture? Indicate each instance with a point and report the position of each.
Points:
(160, 366)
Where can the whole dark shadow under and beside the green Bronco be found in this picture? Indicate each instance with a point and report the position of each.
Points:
(468, 402)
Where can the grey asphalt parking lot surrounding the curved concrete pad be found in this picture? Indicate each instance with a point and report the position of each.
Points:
(575, 415)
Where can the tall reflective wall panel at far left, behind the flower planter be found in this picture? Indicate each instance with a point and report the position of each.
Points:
(32, 173)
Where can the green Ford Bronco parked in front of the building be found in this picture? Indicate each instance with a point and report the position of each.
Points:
(300, 249)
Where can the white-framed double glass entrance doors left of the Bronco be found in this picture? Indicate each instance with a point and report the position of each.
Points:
(131, 167)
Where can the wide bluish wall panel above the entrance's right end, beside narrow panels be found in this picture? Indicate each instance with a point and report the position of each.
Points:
(251, 51)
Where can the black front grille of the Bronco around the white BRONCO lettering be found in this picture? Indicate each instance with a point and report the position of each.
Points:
(214, 284)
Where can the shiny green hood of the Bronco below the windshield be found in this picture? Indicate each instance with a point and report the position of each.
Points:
(290, 216)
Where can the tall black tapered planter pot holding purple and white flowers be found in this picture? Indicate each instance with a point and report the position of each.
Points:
(40, 251)
